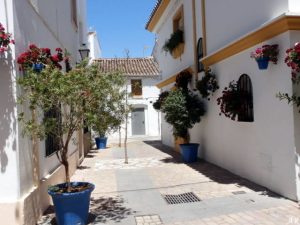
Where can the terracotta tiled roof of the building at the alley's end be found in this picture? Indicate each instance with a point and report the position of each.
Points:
(129, 66)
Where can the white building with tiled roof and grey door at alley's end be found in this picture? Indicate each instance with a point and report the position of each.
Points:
(142, 75)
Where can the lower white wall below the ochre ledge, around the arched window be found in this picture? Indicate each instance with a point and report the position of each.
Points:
(262, 151)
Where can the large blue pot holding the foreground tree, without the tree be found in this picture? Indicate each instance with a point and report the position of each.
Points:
(72, 208)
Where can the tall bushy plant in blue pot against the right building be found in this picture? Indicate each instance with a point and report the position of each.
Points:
(182, 109)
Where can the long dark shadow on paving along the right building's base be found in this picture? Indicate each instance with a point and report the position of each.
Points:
(215, 173)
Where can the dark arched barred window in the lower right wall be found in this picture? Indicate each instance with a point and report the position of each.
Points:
(245, 90)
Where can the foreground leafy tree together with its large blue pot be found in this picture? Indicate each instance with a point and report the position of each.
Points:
(66, 93)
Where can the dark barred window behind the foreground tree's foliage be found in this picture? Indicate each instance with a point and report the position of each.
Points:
(52, 143)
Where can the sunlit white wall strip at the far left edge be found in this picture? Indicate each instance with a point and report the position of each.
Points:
(9, 175)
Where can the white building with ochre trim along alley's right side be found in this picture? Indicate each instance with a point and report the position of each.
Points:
(265, 151)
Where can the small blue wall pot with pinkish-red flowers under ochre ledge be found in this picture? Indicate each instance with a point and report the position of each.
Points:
(264, 54)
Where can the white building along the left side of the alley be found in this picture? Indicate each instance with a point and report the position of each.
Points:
(26, 169)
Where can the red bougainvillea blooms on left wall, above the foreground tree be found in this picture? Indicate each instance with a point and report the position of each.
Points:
(35, 55)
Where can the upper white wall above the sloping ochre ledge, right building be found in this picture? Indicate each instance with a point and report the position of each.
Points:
(231, 19)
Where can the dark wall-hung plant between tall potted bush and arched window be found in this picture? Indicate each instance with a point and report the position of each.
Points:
(208, 84)
